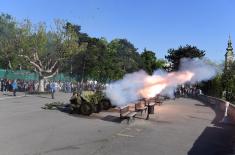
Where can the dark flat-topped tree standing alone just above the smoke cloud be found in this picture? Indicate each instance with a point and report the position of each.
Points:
(188, 51)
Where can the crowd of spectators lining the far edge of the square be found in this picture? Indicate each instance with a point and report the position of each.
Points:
(69, 87)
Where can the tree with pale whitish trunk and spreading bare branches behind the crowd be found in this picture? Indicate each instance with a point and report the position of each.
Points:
(46, 51)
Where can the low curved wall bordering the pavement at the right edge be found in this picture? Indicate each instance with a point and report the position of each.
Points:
(220, 105)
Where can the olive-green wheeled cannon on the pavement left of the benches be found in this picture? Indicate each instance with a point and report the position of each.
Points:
(88, 102)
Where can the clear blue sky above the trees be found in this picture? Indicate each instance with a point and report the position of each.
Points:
(156, 25)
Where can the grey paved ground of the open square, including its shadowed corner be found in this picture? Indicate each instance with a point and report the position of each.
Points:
(179, 127)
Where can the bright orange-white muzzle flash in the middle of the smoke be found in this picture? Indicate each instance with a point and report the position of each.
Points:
(153, 85)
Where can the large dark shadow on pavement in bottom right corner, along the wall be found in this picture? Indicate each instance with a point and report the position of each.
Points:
(215, 140)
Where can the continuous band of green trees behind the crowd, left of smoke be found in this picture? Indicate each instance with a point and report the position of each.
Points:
(66, 49)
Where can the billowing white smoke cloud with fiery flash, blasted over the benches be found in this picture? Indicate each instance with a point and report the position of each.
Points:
(127, 90)
